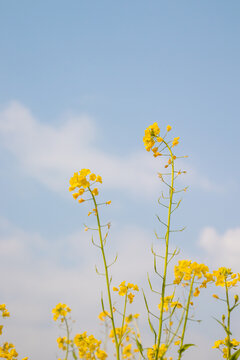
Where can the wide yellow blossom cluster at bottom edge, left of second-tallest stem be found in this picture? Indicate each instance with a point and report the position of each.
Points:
(89, 347)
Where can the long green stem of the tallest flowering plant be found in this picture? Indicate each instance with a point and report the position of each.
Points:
(166, 255)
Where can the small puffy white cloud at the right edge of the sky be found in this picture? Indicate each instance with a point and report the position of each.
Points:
(221, 249)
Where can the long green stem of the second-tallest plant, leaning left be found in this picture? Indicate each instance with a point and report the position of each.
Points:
(107, 276)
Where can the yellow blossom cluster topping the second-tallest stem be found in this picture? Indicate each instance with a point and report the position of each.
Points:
(82, 181)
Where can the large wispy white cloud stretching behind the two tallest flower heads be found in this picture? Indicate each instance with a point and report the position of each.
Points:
(52, 153)
